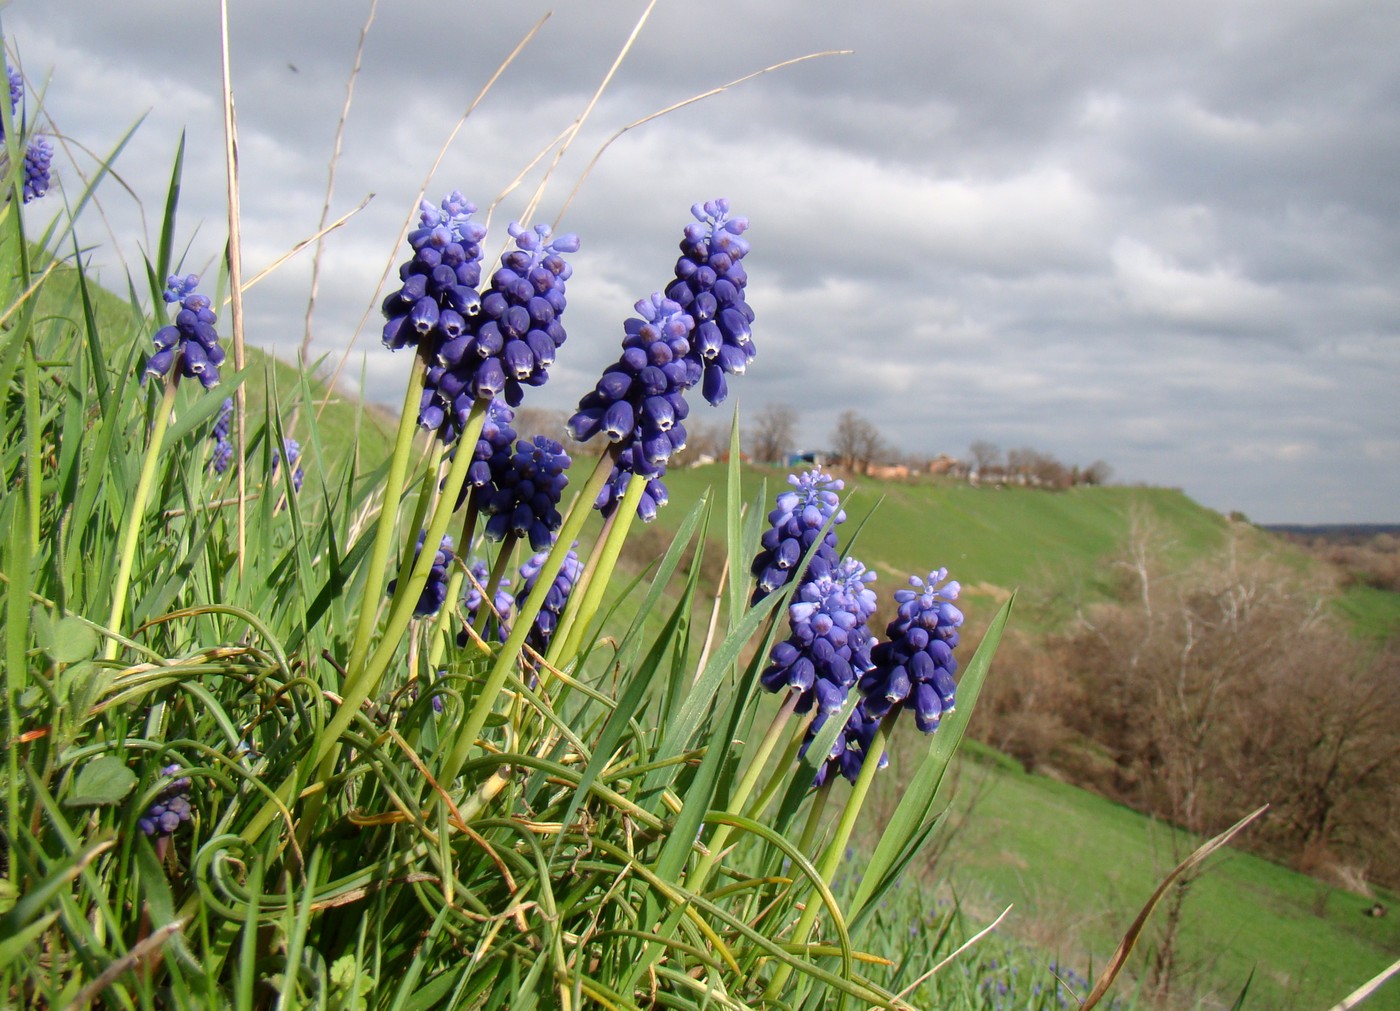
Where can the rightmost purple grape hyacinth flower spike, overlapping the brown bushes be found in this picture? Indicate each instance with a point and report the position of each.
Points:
(916, 667)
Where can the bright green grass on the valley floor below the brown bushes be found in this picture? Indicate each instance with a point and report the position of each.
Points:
(1079, 867)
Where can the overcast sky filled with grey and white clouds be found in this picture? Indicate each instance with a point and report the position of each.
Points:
(1163, 236)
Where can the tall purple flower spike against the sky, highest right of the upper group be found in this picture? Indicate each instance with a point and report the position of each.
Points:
(709, 286)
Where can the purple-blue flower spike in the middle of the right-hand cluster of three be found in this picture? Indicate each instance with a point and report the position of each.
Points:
(831, 643)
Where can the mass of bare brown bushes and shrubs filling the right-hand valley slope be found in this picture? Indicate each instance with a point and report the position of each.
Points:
(1199, 695)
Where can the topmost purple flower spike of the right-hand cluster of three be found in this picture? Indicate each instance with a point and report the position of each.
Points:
(794, 527)
